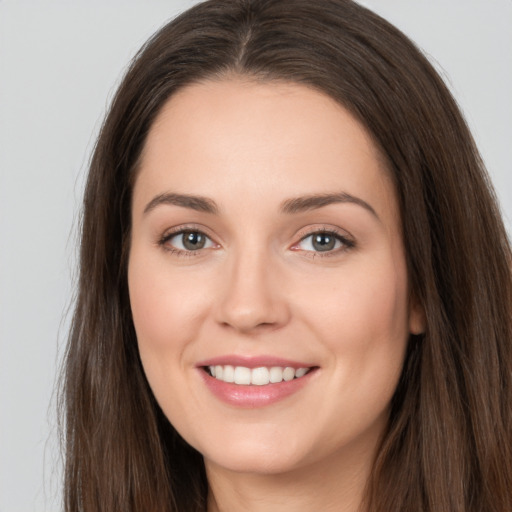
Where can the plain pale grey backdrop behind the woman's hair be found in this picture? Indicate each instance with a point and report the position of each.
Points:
(60, 62)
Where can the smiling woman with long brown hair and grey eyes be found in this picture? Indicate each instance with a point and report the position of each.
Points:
(295, 285)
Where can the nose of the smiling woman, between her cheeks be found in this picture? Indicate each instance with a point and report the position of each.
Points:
(253, 298)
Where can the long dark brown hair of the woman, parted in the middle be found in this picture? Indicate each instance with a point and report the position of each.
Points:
(448, 446)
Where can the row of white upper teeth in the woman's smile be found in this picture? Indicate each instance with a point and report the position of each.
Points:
(256, 376)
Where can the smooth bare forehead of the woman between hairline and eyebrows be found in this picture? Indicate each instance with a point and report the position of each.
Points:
(270, 140)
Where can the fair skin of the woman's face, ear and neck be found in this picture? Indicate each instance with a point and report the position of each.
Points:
(259, 287)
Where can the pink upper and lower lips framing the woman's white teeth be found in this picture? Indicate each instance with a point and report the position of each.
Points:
(251, 396)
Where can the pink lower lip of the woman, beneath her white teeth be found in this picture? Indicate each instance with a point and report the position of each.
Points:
(254, 396)
